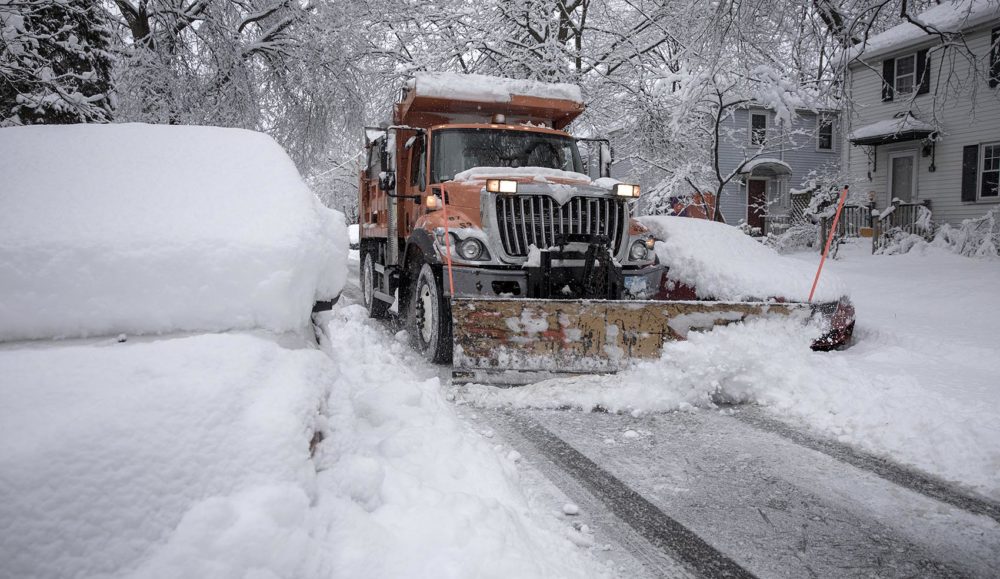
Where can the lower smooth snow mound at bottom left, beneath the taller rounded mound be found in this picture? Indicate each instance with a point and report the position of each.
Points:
(184, 457)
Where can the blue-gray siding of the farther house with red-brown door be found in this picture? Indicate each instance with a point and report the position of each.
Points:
(795, 145)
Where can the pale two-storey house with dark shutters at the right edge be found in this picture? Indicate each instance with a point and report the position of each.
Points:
(923, 119)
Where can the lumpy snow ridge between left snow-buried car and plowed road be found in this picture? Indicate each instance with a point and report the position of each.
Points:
(415, 491)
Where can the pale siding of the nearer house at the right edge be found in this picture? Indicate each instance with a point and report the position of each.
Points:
(969, 115)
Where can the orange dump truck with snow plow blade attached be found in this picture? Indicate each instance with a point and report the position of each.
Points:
(504, 245)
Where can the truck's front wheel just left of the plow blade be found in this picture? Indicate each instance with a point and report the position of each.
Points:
(430, 317)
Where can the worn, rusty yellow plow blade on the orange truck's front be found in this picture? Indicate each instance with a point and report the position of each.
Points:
(519, 341)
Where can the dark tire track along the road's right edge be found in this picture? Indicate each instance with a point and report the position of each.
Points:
(884, 468)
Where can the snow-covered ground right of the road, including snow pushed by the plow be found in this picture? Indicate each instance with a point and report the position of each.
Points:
(918, 384)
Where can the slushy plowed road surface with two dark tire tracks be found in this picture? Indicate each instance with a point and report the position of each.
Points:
(735, 493)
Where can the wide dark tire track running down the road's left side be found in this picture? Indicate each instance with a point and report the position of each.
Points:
(643, 516)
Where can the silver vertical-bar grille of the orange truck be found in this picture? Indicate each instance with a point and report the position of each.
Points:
(526, 220)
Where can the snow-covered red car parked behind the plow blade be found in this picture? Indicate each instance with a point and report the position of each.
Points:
(706, 260)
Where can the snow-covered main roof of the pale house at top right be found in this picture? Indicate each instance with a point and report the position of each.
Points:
(951, 17)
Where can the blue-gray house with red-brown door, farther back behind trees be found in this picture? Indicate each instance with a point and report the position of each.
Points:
(772, 159)
